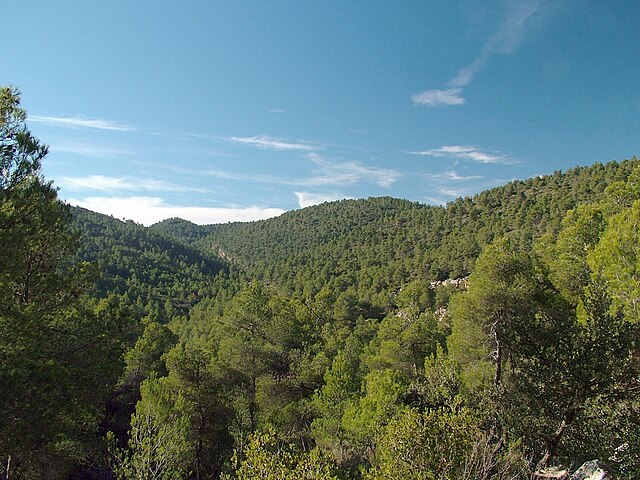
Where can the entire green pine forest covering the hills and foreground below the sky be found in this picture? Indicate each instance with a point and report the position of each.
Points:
(491, 338)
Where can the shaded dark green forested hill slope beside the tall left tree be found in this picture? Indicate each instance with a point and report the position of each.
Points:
(154, 271)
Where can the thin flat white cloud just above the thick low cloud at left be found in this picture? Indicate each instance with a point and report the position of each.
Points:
(114, 184)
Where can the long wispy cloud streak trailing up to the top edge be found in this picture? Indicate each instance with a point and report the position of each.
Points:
(506, 40)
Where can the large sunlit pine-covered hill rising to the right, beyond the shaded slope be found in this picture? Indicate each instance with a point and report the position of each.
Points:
(376, 243)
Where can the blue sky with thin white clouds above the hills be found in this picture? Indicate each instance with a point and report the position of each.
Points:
(219, 111)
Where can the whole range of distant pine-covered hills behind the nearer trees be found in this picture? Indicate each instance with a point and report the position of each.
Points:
(372, 247)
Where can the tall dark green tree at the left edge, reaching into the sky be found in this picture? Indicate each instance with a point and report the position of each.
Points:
(59, 352)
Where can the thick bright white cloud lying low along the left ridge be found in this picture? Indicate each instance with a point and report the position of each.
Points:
(150, 210)
